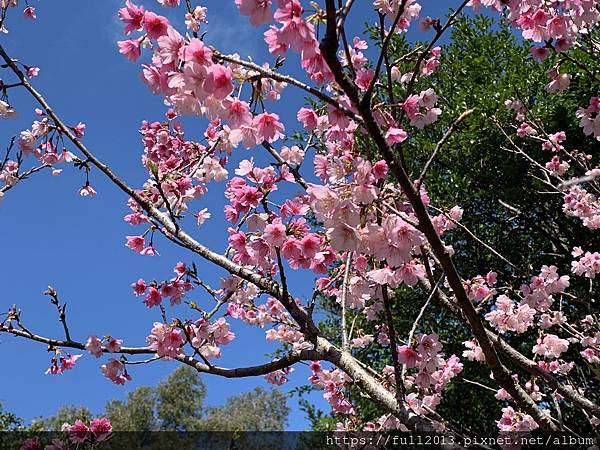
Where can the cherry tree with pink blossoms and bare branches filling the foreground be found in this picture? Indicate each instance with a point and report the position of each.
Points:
(358, 219)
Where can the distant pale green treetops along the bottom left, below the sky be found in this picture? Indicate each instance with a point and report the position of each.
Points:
(177, 404)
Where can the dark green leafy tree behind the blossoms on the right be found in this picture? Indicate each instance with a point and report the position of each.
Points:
(483, 65)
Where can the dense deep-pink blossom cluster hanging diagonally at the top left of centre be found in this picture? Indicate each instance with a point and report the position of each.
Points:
(184, 72)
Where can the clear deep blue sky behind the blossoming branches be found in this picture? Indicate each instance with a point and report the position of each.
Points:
(51, 236)
